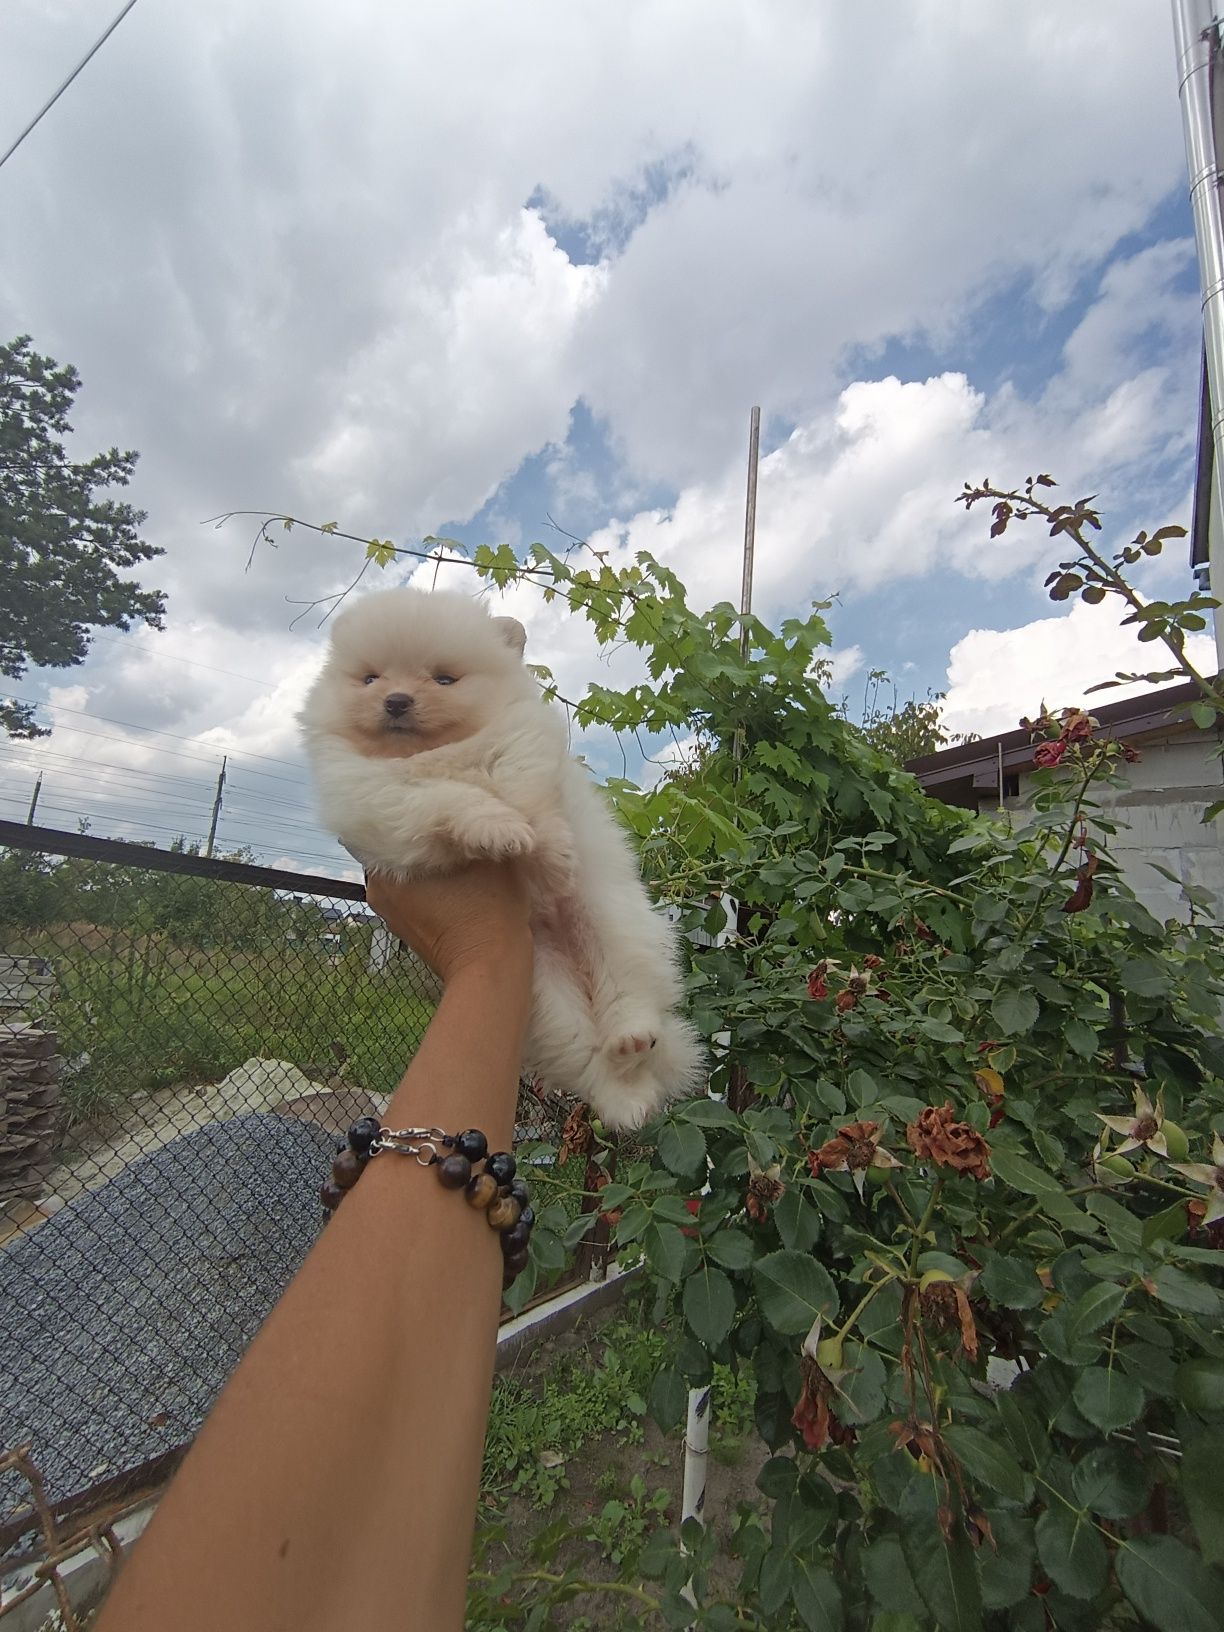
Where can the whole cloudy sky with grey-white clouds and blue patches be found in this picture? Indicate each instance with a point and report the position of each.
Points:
(463, 268)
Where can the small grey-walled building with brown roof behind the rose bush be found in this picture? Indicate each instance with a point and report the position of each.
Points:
(1160, 814)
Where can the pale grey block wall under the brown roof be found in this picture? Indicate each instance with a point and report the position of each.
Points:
(1161, 820)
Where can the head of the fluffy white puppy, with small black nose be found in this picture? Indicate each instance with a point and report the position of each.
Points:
(412, 672)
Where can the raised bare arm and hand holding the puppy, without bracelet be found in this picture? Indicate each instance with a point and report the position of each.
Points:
(335, 1481)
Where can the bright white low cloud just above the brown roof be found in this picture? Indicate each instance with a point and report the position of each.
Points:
(996, 676)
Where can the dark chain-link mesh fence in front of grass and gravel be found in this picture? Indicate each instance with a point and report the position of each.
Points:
(180, 1044)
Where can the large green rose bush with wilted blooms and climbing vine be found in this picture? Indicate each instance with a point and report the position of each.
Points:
(933, 1204)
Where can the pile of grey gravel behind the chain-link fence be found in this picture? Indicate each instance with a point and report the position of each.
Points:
(125, 1313)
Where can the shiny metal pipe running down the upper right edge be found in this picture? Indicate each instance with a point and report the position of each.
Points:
(1197, 43)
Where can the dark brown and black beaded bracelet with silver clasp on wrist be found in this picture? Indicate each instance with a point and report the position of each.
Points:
(495, 1192)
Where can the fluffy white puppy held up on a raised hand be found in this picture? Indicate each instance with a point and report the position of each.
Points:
(432, 743)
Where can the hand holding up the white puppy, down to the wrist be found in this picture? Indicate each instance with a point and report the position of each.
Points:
(456, 921)
